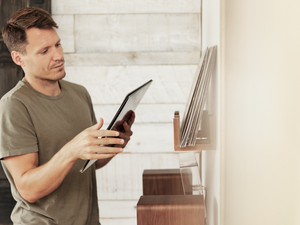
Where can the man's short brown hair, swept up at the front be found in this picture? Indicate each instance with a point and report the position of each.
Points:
(14, 32)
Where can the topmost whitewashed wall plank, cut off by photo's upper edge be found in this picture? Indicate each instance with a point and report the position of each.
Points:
(120, 6)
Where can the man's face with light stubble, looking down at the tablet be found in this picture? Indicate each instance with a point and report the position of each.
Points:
(44, 58)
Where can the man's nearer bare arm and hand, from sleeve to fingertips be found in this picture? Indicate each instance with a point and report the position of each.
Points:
(34, 182)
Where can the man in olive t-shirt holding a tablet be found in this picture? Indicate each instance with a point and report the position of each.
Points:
(48, 129)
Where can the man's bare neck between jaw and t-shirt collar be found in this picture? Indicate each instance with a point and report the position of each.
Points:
(46, 87)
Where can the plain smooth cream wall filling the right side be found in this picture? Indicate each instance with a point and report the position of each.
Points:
(261, 113)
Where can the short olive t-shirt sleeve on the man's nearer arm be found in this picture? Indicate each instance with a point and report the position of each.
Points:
(17, 134)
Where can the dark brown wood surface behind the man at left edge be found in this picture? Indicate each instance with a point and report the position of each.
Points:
(10, 74)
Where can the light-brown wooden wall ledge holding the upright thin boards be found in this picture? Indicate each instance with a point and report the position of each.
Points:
(205, 138)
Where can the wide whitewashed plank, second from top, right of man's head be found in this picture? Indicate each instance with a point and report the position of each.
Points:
(137, 33)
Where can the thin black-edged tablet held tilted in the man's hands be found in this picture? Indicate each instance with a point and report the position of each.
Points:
(123, 114)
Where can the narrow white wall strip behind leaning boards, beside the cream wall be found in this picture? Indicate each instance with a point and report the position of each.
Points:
(211, 159)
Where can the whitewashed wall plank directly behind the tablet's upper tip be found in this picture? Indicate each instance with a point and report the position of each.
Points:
(109, 85)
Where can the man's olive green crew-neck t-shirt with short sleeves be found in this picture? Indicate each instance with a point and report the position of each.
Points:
(33, 122)
